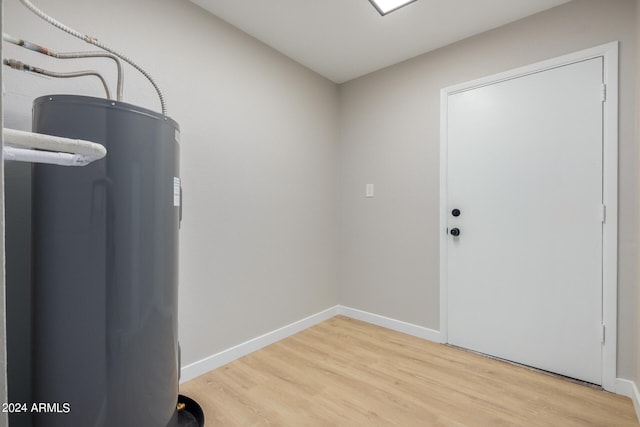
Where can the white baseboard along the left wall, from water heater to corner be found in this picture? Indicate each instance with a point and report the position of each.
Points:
(210, 363)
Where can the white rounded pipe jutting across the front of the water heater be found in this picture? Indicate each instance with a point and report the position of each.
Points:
(28, 147)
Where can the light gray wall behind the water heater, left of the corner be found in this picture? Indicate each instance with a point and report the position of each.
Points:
(259, 145)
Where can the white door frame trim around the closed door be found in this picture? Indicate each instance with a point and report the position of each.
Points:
(609, 53)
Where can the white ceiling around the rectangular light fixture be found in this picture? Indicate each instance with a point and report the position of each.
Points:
(345, 39)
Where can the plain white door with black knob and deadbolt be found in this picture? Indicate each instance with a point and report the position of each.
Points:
(524, 168)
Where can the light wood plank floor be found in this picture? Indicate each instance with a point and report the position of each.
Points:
(344, 372)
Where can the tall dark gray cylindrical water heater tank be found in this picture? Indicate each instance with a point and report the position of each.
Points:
(105, 254)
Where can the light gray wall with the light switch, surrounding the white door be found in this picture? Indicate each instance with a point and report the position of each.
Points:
(390, 137)
